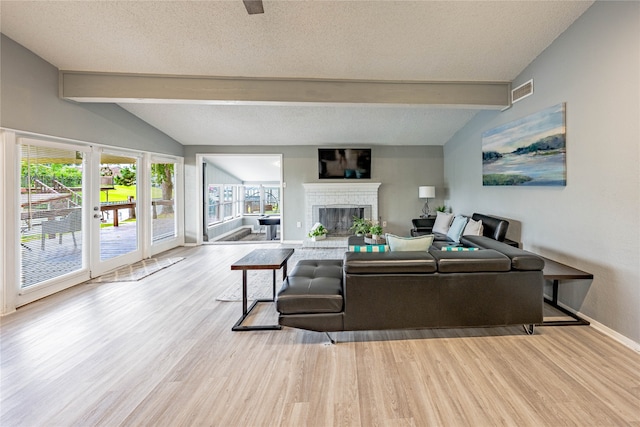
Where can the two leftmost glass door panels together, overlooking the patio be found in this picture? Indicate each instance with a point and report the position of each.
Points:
(78, 216)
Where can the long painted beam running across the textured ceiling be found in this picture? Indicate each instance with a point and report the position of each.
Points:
(139, 88)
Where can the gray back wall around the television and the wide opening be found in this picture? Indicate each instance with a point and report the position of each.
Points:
(400, 169)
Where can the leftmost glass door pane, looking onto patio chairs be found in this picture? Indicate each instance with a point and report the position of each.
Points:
(51, 227)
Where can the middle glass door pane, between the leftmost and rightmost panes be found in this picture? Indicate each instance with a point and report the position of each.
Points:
(115, 212)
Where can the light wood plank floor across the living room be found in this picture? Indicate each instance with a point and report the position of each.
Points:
(161, 352)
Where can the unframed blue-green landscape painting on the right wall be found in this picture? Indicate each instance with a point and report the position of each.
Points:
(528, 151)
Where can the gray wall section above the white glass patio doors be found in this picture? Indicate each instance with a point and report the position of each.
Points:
(30, 102)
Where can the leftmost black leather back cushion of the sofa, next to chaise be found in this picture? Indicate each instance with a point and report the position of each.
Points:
(389, 262)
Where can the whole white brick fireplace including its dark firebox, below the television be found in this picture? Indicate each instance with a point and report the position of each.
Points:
(340, 202)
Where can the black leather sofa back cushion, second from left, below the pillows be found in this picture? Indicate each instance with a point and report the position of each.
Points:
(471, 261)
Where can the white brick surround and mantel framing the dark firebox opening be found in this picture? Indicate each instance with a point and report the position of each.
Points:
(352, 193)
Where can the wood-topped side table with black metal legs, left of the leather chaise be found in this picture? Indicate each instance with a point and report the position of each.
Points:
(260, 259)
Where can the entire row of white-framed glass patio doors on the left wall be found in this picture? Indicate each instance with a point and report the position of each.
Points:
(72, 211)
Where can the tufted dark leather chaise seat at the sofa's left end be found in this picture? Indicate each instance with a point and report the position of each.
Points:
(314, 286)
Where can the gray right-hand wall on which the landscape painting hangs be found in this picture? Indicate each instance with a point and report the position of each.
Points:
(593, 222)
